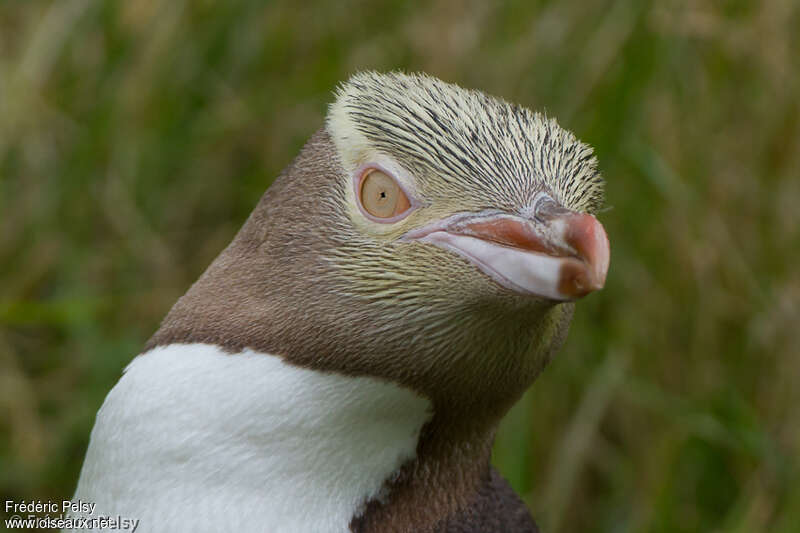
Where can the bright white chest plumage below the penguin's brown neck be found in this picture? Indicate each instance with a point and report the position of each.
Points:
(196, 439)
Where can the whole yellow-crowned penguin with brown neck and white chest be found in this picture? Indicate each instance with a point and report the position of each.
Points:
(344, 363)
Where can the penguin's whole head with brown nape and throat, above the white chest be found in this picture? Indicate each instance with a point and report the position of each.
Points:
(428, 235)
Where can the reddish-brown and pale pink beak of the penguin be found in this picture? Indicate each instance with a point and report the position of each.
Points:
(558, 254)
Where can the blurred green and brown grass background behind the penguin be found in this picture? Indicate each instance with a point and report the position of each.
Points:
(135, 138)
